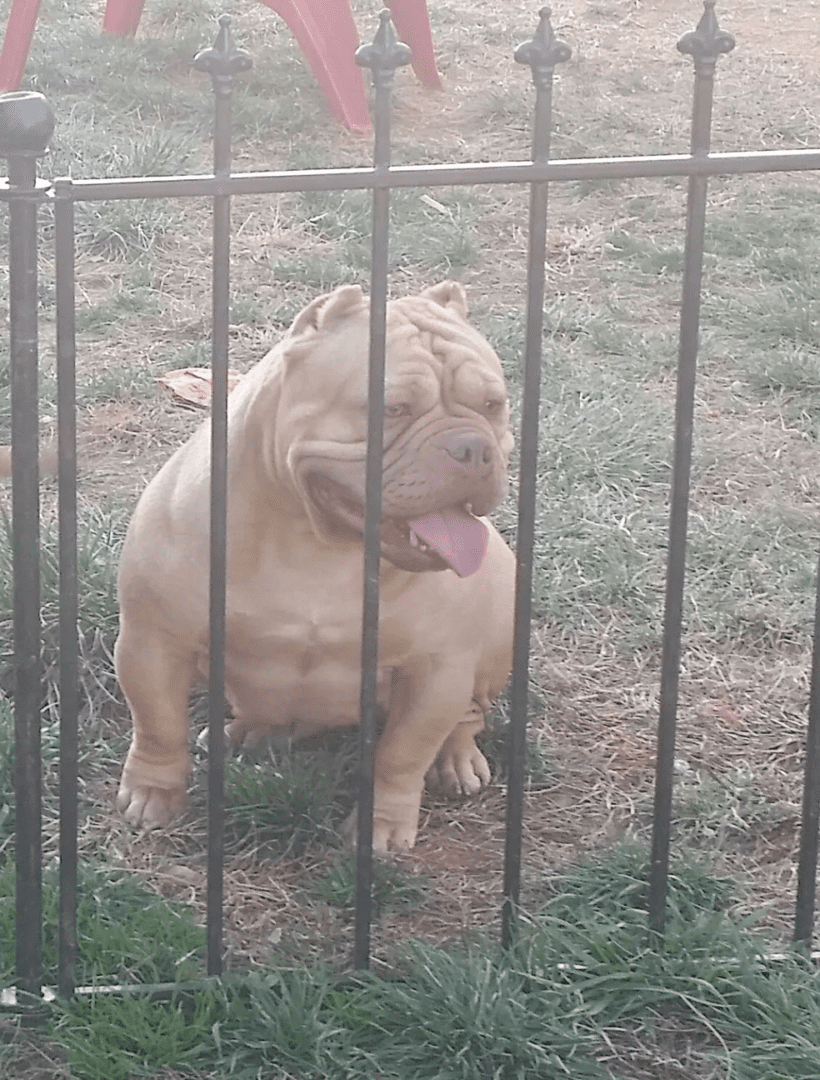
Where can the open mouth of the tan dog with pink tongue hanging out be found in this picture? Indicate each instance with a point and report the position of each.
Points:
(451, 538)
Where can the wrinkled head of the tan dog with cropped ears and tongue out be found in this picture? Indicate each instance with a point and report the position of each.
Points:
(447, 433)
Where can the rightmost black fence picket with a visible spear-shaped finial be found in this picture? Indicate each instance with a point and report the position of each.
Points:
(706, 45)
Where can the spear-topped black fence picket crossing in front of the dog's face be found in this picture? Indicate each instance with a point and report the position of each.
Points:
(383, 57)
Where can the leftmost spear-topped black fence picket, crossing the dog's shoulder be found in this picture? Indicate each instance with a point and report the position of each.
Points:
(224, 62)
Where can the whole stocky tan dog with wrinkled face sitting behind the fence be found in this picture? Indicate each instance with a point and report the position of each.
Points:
(297, 464)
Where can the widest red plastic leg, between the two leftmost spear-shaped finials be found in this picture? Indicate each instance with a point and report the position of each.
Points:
(328, 36)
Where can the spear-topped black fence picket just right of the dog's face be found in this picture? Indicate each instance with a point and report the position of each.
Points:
(542, 53)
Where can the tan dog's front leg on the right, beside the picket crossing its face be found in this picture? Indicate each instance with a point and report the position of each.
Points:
(427, 703)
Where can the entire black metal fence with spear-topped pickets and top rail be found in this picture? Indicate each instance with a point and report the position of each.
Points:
(26, 124)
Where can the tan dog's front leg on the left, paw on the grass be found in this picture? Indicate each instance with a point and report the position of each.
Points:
(156, 682)
